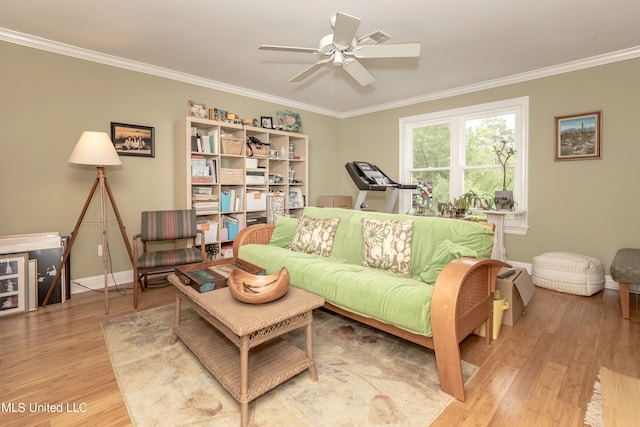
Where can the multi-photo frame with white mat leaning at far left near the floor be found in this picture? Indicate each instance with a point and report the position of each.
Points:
(13, 284)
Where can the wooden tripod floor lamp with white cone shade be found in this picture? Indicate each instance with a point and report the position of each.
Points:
(95, 149)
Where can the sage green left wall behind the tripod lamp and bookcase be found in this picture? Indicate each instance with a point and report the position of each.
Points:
(47, 100)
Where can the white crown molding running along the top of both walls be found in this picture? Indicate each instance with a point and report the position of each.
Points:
(90, 55)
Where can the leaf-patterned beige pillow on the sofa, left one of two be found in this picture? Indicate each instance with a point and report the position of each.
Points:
(314, 235)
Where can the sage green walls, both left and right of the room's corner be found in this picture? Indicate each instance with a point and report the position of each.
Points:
(47, 100)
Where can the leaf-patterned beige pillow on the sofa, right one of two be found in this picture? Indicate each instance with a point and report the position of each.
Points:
(387, 244)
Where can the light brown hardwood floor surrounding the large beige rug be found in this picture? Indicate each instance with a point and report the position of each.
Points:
(540, 372)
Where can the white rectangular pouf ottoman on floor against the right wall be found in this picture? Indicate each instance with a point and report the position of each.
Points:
(568, 272)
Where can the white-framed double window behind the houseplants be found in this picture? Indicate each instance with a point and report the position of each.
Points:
(453, 151)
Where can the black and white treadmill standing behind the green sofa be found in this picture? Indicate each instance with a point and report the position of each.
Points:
(368, 177)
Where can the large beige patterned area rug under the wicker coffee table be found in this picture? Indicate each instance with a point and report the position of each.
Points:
(366, 378)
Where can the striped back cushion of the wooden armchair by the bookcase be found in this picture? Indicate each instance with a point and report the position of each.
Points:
(168, 225)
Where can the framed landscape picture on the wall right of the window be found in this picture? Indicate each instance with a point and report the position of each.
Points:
(578, 136)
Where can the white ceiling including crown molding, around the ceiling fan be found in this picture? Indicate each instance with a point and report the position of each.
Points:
(465, 43)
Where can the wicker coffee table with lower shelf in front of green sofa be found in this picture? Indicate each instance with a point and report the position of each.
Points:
(243, 327)
